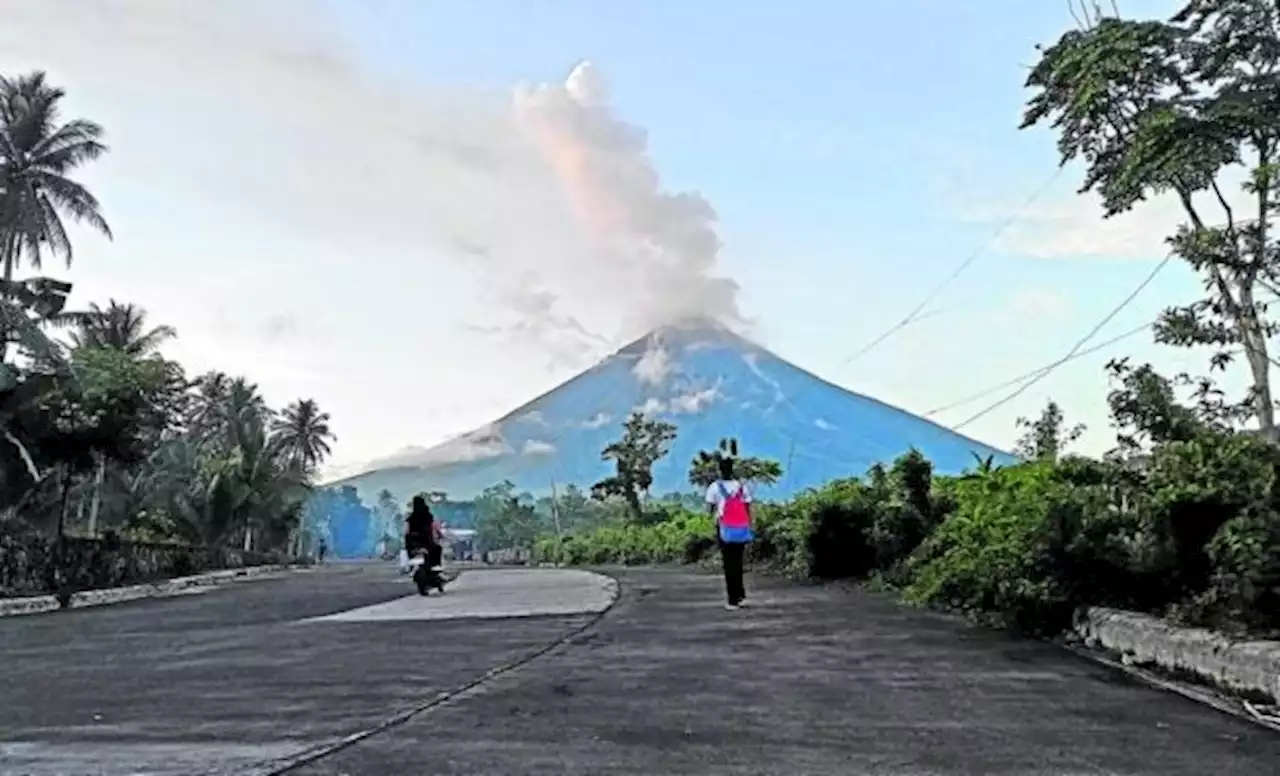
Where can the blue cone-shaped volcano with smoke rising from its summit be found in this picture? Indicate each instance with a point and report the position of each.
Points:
(707, 381)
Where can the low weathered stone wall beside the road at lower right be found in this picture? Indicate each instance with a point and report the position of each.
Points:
(1242, 668)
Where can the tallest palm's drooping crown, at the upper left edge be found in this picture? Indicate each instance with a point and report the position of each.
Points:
(36, 157)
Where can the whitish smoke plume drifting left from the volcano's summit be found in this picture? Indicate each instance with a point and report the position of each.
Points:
(546, 193)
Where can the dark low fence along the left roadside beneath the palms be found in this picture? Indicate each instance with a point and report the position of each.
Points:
(30, 563)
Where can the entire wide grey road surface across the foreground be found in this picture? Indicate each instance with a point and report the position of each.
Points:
(808, 681)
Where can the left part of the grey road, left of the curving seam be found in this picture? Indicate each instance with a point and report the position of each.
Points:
(239, 675)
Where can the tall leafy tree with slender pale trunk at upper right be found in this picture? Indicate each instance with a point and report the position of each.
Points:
(1177, 108)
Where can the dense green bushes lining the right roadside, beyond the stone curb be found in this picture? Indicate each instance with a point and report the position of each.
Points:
(1192, 531)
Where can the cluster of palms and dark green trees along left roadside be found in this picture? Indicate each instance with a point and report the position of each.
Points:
(100, 433)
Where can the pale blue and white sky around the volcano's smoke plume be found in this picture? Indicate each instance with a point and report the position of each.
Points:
(854, 153)
